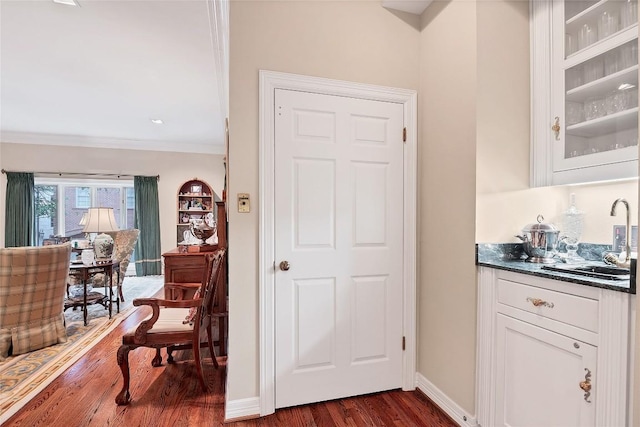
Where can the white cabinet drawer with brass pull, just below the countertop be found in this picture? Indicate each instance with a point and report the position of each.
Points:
(570, 309)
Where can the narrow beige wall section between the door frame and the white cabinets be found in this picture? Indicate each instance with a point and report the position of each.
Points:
(447, 175)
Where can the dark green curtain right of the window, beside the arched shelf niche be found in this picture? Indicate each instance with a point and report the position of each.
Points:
(147, 220)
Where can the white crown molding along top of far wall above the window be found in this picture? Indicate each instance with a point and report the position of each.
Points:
(112, 143)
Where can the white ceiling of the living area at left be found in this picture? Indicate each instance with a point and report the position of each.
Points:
(97, 73)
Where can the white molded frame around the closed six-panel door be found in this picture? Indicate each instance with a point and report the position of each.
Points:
(269, 82)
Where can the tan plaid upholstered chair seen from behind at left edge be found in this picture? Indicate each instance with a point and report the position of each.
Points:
(32, 291)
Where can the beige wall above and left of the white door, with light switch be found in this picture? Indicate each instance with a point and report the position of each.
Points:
(354, 40)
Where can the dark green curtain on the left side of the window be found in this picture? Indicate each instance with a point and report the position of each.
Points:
(19, 210)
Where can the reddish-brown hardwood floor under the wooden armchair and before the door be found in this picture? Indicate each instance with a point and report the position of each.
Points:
(171, 396)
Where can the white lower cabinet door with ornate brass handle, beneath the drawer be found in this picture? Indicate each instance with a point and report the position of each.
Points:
(539, 374)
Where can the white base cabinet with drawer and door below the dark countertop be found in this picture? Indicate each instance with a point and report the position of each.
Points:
(550, 353)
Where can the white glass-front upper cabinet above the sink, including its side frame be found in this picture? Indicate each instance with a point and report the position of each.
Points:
(588, 131)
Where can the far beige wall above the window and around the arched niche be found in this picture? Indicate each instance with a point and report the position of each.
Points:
(173, 168)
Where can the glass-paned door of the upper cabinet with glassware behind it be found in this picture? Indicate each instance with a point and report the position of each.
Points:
(595, 79)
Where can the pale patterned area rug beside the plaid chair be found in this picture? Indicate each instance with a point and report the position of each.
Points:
(24, 376)
